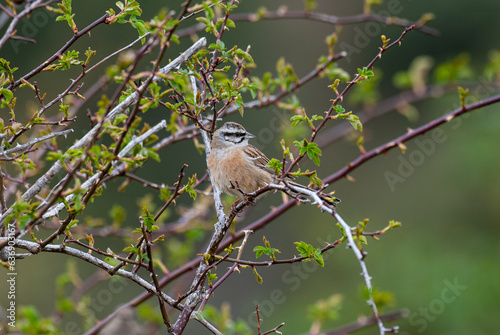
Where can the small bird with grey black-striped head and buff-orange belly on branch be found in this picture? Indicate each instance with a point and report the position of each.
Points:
(236, 165)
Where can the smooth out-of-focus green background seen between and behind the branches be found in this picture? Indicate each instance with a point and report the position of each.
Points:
(442, 265)
